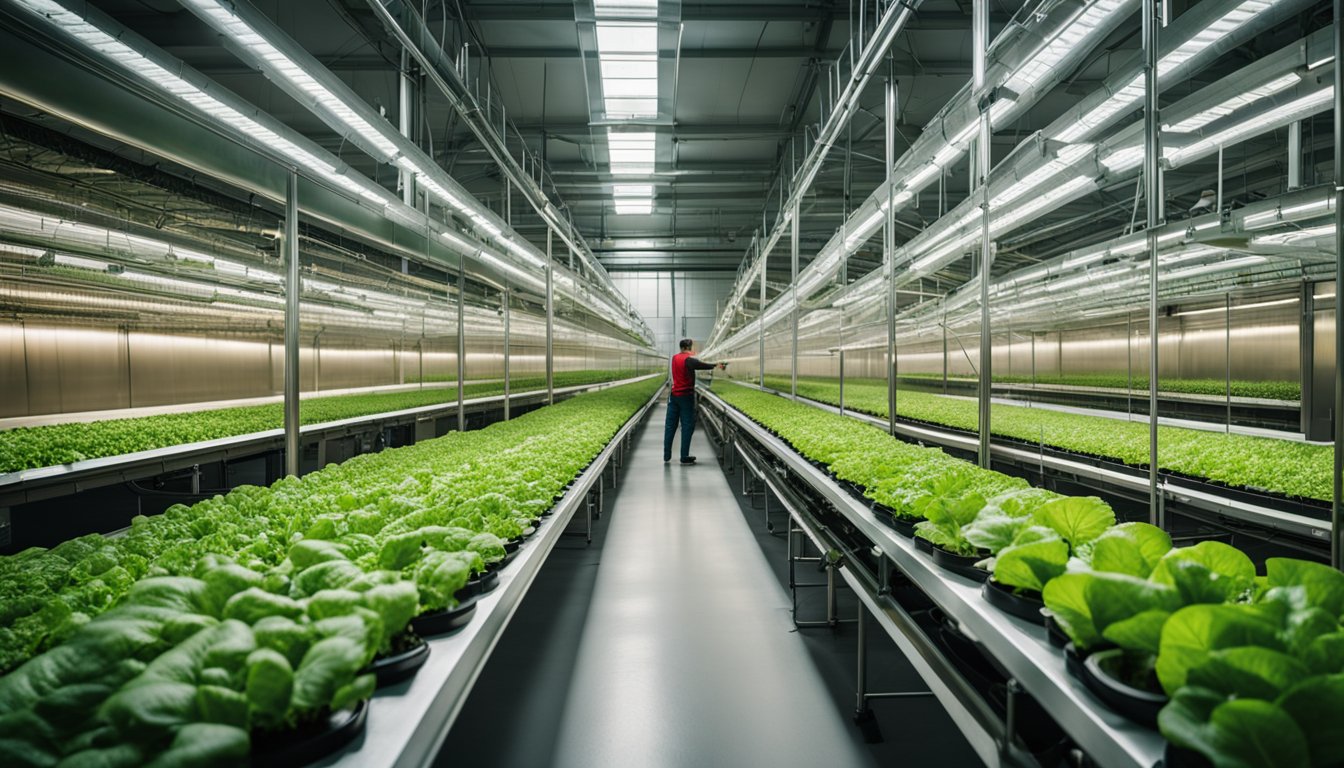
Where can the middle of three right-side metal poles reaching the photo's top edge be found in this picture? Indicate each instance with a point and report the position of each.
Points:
(1151, 192)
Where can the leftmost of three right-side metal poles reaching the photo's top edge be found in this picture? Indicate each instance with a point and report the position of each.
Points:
(980, 30)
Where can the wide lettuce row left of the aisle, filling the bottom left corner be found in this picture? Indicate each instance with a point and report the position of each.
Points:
(260, 611)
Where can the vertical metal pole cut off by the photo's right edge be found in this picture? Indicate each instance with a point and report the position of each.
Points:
(1338, 506)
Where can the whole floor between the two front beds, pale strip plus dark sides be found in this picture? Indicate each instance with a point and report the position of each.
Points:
(670, 644)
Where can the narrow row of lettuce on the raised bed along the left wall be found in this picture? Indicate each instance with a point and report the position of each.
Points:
(30, 449)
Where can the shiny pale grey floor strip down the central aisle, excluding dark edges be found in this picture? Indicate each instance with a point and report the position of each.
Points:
(687, 654)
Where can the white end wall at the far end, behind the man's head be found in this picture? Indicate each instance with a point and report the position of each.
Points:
(698, 298)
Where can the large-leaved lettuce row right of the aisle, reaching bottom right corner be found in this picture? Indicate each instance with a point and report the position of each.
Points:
(1253, 664)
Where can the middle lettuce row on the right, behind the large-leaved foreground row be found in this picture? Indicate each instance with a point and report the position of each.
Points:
(1283, 467)
